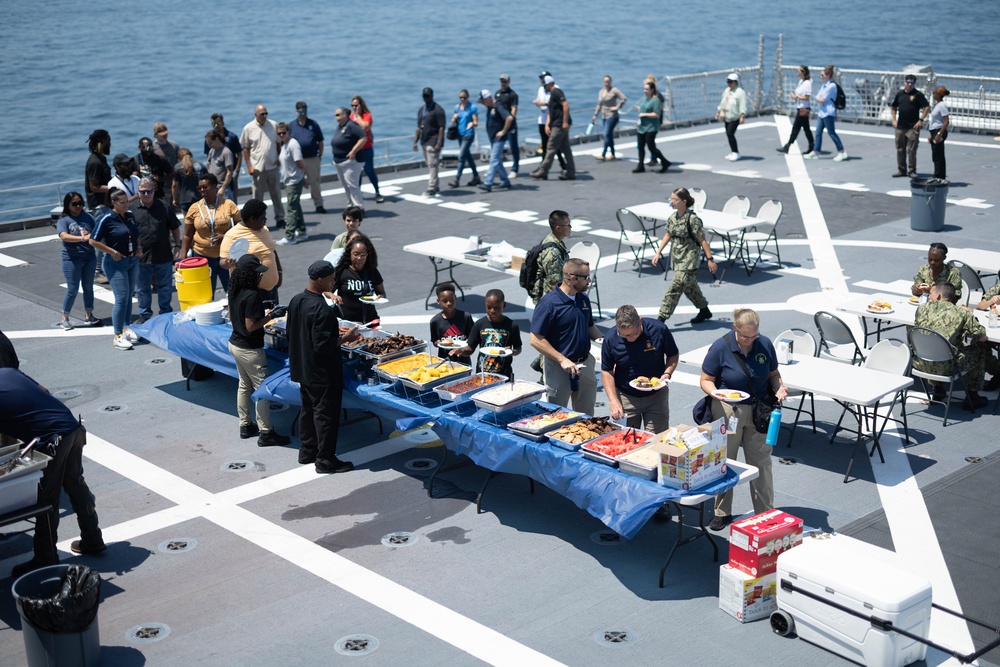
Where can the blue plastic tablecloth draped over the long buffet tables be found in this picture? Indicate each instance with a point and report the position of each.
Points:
(622, 502)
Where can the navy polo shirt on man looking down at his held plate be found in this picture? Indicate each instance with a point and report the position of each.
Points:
(647, 355)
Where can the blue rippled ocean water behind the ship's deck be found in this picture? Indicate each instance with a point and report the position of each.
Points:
(70, 67)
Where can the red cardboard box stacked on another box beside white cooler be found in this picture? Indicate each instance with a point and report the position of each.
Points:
(755, 542)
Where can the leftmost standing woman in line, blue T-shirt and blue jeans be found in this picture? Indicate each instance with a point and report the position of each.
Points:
(78, 259)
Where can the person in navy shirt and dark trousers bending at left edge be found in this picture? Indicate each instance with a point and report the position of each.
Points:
(29, 411)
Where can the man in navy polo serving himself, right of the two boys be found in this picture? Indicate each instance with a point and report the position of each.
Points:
(561, 329)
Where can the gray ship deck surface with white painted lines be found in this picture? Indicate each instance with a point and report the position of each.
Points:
(280, 575)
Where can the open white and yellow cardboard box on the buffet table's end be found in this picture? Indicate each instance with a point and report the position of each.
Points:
(691, 456)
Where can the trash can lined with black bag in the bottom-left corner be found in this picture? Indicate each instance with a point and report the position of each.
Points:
(58, 608)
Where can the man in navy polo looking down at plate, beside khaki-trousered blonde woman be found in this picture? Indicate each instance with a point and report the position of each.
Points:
(638, 347)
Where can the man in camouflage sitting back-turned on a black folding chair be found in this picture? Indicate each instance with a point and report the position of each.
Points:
(940, 314)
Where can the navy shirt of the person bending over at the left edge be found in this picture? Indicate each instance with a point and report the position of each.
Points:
(27, 411)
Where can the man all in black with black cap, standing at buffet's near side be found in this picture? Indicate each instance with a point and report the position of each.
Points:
(314, 362)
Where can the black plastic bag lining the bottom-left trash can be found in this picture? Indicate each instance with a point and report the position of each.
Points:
(73, 607)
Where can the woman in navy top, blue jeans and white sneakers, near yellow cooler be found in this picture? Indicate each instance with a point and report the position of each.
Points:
(117, 236)
